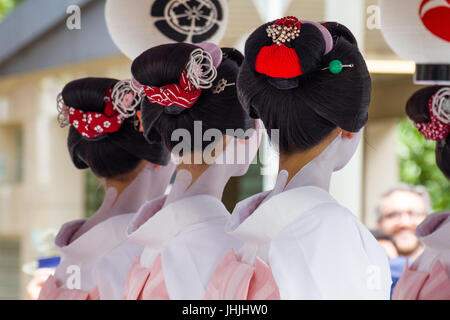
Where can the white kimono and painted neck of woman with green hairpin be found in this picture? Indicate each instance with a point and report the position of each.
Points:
(314, 247)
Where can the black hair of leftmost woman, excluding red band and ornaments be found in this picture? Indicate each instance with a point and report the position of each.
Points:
(112, 154)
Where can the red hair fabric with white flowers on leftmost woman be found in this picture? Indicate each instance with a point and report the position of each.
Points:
(94, 124)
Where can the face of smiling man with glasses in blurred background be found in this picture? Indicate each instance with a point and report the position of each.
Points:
(401, 213)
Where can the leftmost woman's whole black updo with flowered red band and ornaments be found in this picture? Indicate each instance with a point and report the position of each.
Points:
(103, 134)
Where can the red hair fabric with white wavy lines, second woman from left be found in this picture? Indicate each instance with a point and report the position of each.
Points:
(183, 94)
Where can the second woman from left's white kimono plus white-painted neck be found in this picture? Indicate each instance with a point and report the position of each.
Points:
(184, 233)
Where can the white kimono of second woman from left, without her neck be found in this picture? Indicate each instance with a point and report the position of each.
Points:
(188, 236)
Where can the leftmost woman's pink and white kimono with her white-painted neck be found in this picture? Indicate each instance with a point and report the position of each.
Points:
(80, 274)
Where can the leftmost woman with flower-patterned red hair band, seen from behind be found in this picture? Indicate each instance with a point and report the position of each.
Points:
(103, 137)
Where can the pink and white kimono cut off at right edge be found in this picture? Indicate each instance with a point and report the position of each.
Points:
(428, 277)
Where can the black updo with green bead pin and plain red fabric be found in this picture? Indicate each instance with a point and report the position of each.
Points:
(305, 79)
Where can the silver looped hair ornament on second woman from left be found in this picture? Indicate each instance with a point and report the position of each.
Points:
(200, 69)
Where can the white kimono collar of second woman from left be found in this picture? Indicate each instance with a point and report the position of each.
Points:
(153, 226)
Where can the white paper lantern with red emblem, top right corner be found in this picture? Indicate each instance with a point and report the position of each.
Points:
(419, 30)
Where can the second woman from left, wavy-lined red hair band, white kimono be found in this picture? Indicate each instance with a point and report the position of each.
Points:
(190, 103)
